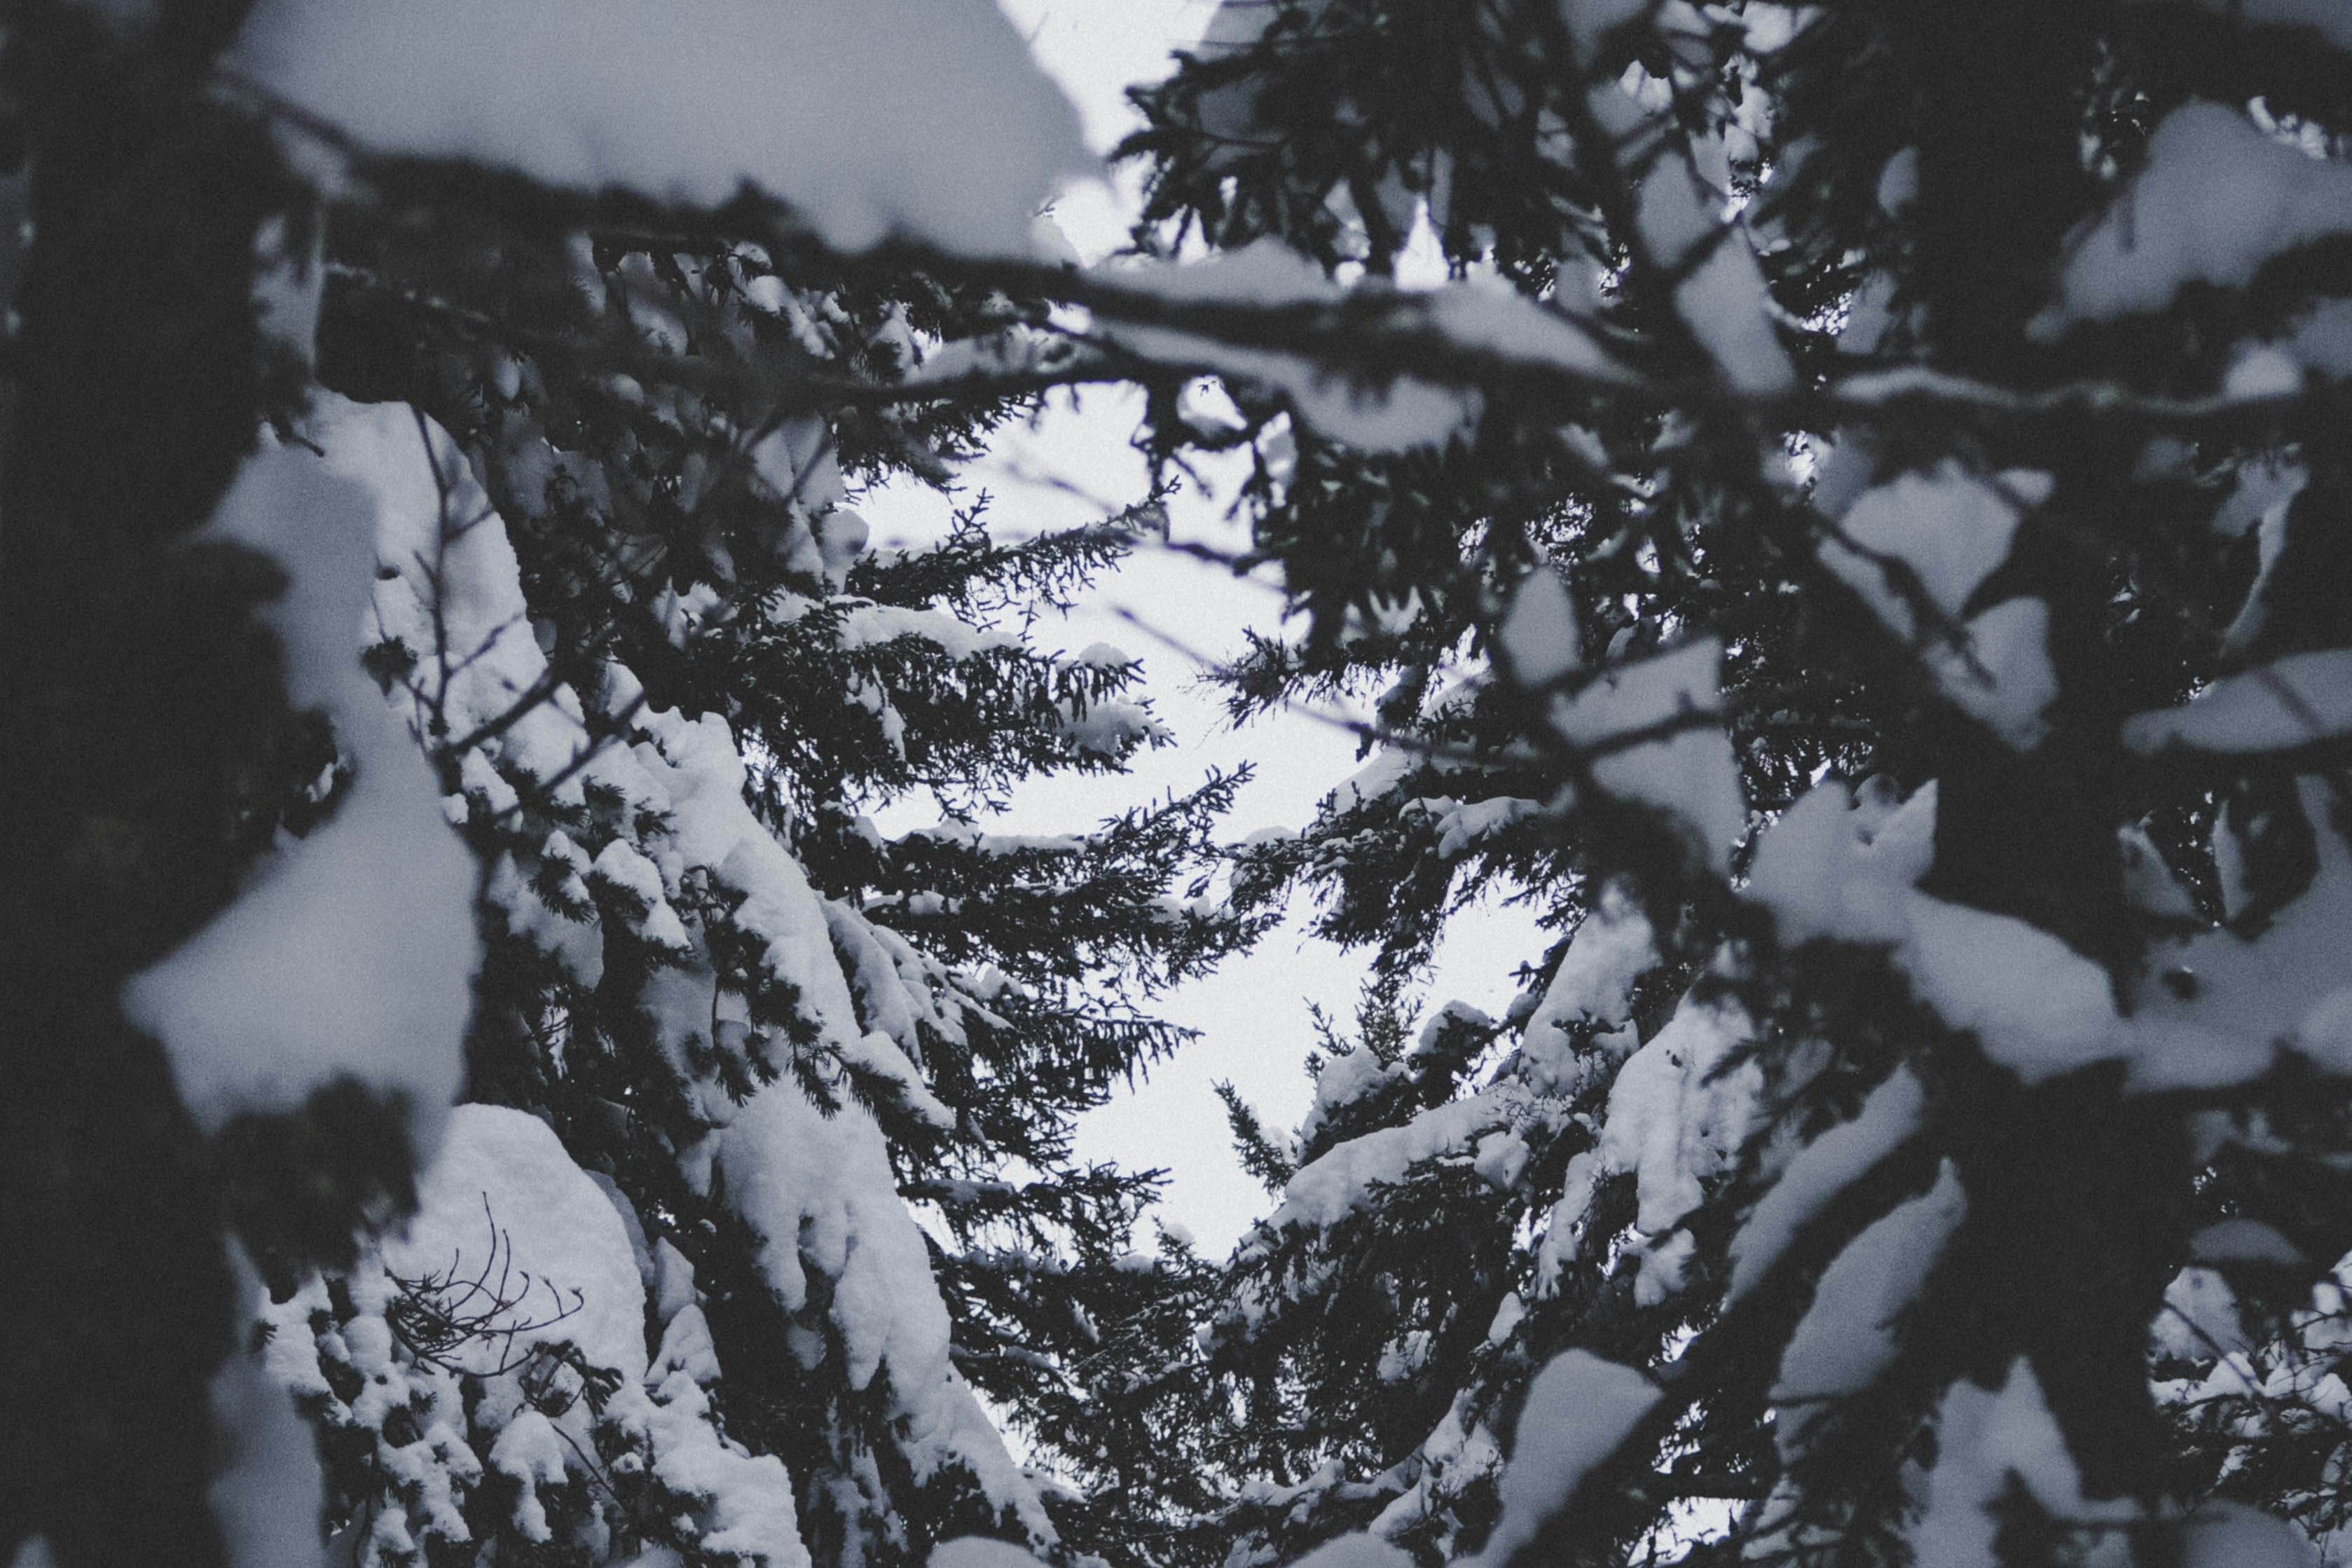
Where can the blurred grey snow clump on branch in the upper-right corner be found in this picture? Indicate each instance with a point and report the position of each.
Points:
(2214, 203)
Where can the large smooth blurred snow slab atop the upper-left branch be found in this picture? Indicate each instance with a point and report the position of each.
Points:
(883, 119)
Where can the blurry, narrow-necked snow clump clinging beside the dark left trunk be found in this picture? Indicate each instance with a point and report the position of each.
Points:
(354, 951)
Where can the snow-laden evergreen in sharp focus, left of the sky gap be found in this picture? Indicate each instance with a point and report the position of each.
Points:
(667, 965)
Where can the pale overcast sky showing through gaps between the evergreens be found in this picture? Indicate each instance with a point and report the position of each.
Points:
(1069, 469)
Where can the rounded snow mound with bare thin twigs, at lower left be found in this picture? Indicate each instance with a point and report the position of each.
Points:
(544, 1264)
